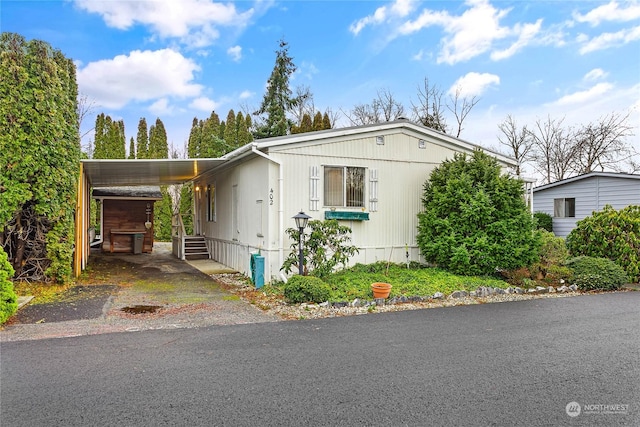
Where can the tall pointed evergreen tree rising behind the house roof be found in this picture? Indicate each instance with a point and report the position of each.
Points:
(278, 99)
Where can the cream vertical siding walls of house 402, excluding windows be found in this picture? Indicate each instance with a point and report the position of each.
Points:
(400, 169)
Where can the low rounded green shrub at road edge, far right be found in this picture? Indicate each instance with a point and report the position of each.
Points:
(590, 273)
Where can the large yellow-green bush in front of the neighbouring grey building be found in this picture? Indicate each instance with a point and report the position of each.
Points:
(610, 233)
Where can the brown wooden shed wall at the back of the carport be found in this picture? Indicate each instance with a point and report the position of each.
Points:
(126, 215)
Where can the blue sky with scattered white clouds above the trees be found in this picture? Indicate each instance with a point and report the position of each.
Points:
(182, 59)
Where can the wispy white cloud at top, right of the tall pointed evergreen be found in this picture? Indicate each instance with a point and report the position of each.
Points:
(474, 32)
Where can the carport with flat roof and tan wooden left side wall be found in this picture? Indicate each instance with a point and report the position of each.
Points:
(99, 173)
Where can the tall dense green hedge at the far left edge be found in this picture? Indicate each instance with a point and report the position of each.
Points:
(39, 154)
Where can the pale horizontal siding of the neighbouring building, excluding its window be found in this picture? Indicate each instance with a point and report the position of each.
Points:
(591, 194)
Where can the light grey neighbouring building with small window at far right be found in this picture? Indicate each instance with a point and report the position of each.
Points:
(573, 199)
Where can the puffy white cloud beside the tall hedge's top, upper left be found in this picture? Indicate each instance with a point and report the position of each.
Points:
(139, 76)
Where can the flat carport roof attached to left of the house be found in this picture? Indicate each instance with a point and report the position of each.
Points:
(108, 172)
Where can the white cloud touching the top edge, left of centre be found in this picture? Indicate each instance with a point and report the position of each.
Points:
(194, 22)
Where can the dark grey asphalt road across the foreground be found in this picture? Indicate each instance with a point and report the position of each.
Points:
(518, 363)
